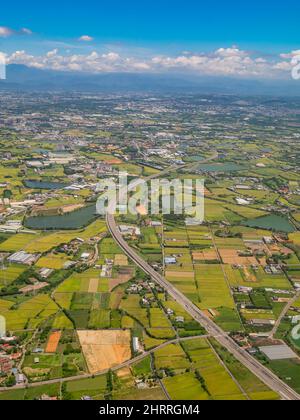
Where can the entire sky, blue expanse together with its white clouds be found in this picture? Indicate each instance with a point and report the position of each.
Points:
(256, 39)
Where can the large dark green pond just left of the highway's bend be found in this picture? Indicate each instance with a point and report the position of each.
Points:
(74, 220)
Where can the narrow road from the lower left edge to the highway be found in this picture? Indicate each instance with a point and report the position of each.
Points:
(103, 372)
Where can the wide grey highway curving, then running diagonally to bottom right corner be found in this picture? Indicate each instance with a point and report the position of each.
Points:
(264, 374)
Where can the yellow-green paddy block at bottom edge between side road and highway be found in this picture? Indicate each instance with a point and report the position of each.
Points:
(208, 377)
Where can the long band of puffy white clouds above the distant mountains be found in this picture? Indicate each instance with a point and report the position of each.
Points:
(221, 62)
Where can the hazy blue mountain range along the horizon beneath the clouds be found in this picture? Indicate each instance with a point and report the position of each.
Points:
(20, 77)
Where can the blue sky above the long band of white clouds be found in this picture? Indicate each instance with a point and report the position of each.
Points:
(146, 29)
